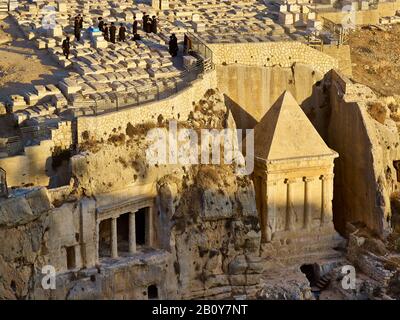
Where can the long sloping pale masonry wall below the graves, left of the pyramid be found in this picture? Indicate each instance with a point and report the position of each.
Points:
(174, 107)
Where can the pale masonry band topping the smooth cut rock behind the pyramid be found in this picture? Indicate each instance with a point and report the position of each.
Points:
(269, 54)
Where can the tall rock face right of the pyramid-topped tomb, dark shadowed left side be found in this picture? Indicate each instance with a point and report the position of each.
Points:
(365, 176)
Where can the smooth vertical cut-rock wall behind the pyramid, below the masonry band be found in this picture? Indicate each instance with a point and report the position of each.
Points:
(250, 91)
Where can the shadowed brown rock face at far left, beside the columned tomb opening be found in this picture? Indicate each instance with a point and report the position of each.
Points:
(23, 231)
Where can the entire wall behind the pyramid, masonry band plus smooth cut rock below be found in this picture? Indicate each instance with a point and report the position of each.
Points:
(253, 75)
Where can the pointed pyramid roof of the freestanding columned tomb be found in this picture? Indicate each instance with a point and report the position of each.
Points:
(285, 132)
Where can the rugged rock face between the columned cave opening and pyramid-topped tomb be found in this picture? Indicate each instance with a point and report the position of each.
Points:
(215, 233)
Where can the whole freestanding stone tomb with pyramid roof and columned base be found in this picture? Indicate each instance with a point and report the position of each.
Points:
(293, 175)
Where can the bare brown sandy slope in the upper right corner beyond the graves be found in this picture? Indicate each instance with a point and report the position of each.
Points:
(375, 55)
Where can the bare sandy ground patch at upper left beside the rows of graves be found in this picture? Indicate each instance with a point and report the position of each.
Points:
(22, 65)
